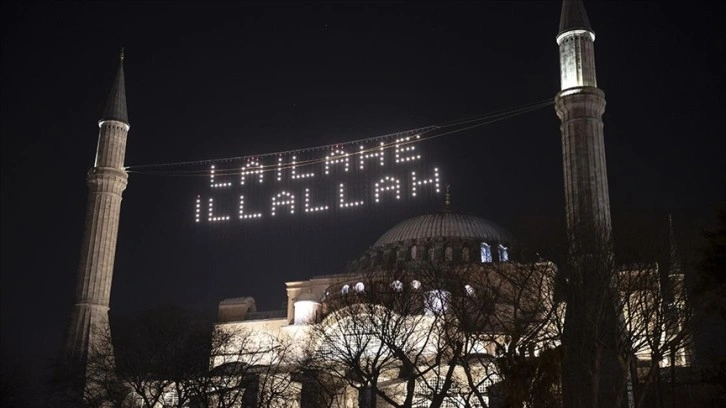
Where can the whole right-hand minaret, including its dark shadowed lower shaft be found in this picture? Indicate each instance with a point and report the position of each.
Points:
(591, 376)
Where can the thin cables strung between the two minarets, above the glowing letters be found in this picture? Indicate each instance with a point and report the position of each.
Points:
(385, 142)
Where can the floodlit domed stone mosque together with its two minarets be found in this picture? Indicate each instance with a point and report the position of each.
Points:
(423, 315)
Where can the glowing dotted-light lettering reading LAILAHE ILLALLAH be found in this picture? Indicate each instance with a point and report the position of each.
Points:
(303, 182)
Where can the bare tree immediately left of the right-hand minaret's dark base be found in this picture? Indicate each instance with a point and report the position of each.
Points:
(503, 318)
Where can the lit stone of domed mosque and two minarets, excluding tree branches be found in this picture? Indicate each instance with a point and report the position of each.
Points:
(474, 253)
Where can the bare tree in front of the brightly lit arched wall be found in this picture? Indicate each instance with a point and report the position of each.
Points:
(379, 334)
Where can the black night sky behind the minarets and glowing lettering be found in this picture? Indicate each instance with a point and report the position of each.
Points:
(213, 80)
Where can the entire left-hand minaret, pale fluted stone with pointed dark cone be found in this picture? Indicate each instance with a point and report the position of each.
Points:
(106, 181)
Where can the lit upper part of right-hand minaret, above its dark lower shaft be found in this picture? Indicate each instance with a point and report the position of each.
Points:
(580, 105)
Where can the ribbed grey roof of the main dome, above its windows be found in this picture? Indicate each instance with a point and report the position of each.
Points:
(444, 224)
